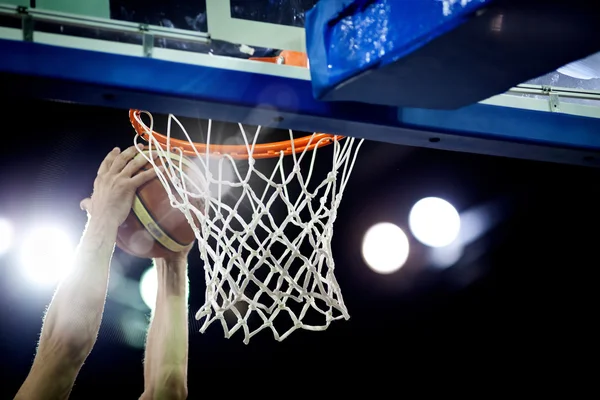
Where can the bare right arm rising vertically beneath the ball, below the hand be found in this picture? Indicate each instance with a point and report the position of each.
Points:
(165, 364)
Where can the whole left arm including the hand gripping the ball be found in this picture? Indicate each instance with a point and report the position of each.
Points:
(73, 318)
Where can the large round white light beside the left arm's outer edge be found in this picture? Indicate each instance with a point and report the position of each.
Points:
(47, 255)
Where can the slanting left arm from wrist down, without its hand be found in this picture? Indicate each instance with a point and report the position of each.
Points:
(70, 327)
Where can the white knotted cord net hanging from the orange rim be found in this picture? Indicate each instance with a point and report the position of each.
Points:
(264, 231)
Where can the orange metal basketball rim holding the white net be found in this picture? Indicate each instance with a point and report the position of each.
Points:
(240, 152)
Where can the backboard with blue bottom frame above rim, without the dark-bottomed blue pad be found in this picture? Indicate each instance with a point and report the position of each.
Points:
(191, 58)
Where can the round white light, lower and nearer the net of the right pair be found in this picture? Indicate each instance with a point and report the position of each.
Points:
(385, 248)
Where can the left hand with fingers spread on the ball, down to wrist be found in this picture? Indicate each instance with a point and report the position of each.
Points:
(115, 185)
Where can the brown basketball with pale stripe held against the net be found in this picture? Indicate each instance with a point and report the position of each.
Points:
(153, 228)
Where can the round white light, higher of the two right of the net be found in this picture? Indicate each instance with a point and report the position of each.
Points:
(434, 222)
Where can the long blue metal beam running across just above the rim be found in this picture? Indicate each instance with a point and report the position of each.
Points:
(102, 79)
